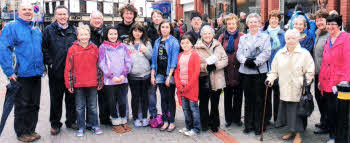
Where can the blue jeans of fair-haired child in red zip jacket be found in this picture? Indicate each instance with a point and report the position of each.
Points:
(86, 97)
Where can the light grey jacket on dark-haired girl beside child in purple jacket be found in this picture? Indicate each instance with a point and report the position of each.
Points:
(141, 61)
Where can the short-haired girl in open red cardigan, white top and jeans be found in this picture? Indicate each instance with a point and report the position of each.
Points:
(186, 81)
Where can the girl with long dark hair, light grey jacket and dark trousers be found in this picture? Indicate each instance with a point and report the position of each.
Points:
(140, 50)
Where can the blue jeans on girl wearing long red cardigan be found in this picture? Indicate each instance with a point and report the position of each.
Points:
(192, 117)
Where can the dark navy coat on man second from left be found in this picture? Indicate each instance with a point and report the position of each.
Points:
(55, 44)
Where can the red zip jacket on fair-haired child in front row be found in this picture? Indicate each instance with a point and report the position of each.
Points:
(81, 67)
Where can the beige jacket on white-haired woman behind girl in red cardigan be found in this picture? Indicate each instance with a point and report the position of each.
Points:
(217, 78)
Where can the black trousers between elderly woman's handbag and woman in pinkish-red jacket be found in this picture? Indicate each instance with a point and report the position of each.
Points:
(321, 103)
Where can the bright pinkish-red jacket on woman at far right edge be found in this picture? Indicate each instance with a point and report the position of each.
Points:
(335, 65)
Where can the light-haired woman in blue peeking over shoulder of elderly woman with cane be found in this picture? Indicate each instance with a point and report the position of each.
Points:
(306, 41)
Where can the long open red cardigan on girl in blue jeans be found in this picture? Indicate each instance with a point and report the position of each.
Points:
(190, 91)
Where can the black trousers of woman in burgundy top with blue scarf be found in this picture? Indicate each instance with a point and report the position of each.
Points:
(233, 104)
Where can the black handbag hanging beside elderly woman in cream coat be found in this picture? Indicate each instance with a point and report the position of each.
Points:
(306, 103)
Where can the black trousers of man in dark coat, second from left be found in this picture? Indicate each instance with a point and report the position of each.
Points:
(57, 91)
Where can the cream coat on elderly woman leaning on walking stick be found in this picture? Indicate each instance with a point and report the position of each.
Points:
(289, 68)
